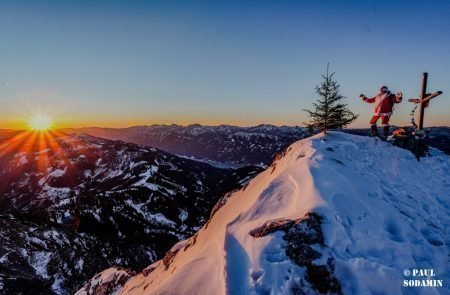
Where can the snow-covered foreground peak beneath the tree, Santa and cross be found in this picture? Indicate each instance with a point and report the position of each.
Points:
(333, 214)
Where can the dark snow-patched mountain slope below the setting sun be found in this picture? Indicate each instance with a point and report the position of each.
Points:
(72, 205)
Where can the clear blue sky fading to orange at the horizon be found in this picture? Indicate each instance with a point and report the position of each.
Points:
(122, 63)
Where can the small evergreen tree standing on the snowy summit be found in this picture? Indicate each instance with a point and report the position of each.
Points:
(330, 112)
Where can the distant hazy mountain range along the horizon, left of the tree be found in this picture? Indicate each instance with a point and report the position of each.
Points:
(225, 144)
